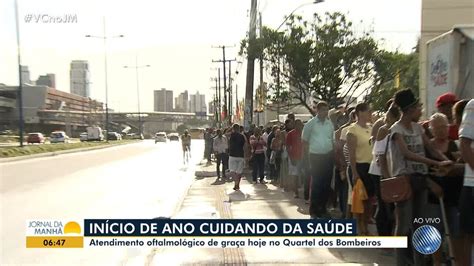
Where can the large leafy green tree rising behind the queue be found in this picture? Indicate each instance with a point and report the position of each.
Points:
(317, 59)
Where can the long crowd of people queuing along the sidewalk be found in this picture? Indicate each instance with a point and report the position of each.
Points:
(340, 159)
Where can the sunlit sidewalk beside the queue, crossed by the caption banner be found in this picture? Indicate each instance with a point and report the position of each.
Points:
(207, 199)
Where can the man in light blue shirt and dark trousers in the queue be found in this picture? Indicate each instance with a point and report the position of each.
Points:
(318, 141)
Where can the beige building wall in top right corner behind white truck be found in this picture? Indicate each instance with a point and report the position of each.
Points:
(438, 17)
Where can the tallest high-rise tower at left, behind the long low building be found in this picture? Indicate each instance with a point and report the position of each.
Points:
(79, 78)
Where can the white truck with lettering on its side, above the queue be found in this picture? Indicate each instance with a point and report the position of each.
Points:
(450, 65)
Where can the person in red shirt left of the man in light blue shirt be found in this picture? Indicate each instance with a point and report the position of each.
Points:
(294, 147)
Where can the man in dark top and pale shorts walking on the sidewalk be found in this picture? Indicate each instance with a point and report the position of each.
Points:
(236, 155)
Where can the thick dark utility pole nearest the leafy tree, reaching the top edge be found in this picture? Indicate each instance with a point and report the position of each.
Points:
(248, 113)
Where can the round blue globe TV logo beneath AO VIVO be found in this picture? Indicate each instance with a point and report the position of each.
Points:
(426, 239)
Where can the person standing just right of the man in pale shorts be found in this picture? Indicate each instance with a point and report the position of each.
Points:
(257, 144)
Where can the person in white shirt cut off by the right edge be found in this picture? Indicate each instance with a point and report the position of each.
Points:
(466, 134)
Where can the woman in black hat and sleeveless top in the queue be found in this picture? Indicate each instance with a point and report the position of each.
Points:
(407, 145)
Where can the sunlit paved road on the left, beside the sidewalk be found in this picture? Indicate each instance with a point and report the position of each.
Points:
(142, 180)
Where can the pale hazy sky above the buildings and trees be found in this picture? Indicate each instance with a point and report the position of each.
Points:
(174, 37)
